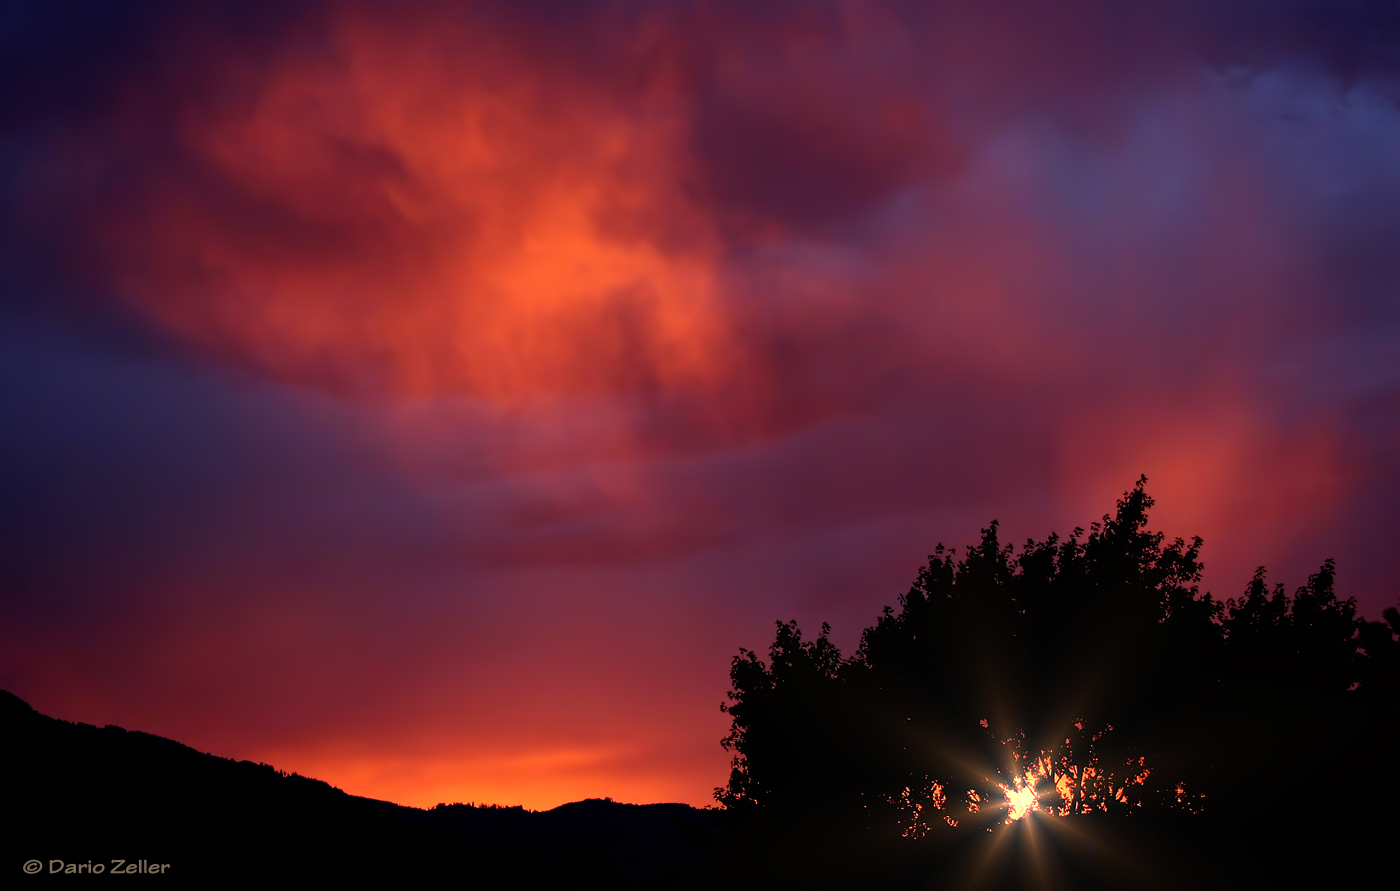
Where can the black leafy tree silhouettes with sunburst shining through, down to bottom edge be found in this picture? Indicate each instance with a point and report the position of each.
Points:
(1072, 714)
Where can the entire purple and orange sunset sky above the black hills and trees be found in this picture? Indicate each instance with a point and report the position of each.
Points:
(433, 399)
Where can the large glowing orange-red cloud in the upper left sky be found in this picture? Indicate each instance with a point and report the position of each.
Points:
(428, 209)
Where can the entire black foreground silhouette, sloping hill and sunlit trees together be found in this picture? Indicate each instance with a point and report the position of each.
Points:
(1072, 714)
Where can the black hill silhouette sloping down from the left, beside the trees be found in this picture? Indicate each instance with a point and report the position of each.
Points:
(94, 795)
